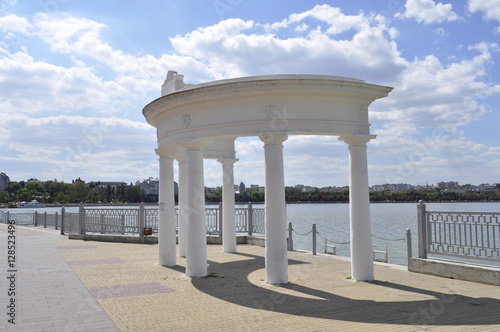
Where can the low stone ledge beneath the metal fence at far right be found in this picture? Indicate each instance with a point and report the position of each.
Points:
(456, 270)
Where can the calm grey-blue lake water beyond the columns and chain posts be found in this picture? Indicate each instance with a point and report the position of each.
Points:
(389, 223)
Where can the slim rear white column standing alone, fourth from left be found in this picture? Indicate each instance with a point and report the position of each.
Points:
(228, 217)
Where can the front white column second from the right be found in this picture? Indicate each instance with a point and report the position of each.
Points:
(276, 245)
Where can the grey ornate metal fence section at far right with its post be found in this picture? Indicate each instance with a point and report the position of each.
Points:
(473, 235)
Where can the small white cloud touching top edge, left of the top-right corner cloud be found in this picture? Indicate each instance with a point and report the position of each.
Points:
(428, 11)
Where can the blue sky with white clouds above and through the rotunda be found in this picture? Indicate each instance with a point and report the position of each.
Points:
(75, 75)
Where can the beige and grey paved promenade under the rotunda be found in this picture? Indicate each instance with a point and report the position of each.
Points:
(70, 285)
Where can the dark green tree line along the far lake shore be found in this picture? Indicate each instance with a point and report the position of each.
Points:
(93, 192)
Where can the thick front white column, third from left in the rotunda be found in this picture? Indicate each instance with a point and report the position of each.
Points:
(196, 239)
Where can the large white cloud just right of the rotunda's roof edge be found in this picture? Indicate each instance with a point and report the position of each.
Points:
(430, 94)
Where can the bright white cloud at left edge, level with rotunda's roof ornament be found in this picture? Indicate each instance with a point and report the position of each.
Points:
(30, 86)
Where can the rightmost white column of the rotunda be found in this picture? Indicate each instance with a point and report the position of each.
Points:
(359, 208)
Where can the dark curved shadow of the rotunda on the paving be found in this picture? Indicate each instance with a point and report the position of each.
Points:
(229, 282)
